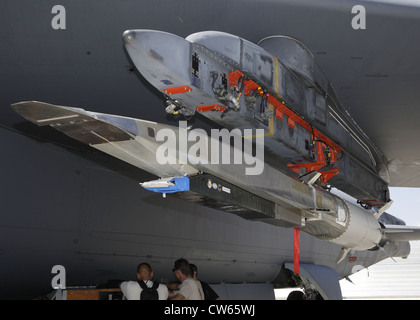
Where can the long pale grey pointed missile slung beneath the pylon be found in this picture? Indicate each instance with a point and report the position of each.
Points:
(184, 153)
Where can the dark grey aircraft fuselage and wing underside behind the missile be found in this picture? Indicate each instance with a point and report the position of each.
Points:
(64, 203)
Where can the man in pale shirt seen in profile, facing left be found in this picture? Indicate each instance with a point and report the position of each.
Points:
(188, 290)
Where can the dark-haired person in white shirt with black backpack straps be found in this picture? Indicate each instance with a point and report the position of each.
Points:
(132, 290)
